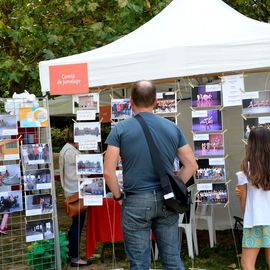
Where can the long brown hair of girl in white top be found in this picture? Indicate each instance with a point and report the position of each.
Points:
(256, 164)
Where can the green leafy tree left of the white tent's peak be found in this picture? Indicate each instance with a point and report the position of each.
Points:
(36, 30)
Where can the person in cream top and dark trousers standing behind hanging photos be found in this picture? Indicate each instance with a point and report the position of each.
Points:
(70, 183)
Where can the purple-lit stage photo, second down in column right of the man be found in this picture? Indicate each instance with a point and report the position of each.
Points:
(206, 120)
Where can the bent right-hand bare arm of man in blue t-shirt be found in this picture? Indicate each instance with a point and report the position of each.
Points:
(188, 161)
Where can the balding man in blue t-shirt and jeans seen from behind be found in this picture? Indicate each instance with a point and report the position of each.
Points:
(143, 207)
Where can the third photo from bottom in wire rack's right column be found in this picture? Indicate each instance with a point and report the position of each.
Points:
(37, 179)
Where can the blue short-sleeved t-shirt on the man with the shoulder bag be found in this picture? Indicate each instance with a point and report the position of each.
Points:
(138, 171)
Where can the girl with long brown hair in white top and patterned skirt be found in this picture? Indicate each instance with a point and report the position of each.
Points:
(253, 190)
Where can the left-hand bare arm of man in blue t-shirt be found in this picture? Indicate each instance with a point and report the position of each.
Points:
(110, 162)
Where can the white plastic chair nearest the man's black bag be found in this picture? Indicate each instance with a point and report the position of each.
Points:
(189, 227)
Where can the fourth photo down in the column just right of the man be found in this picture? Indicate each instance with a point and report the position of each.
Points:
(211, 169)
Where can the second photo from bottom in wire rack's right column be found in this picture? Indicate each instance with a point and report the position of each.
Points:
(39, 204)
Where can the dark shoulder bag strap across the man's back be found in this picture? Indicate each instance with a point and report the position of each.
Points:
(155, 155)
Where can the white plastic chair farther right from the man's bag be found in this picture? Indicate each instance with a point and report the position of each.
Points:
(205, 212)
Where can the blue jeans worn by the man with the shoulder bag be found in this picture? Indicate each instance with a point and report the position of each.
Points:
(141, 213)
